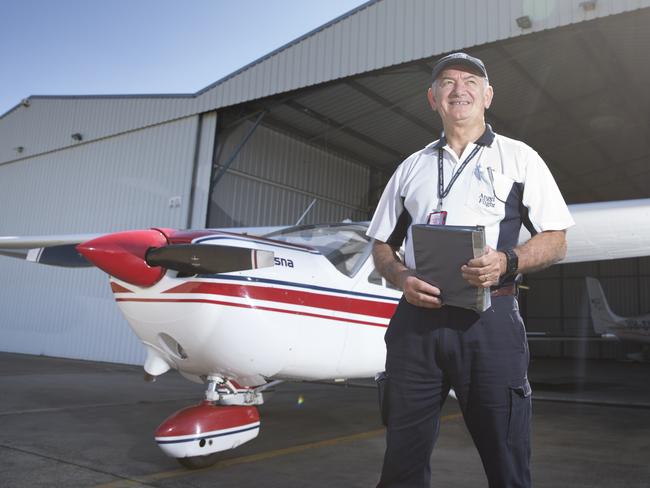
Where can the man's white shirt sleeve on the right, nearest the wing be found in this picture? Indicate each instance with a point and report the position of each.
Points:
(542, 198)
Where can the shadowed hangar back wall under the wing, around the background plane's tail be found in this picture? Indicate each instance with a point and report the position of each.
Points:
(557, 303)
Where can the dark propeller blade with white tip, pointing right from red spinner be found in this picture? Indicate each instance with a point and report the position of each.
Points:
(208, 259)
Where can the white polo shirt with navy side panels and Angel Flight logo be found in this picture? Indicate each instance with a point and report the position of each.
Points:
(506, 184)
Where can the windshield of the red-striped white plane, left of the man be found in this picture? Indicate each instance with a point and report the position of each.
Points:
(345, 245)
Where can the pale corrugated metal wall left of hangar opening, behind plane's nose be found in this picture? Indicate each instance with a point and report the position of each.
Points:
(117, 183)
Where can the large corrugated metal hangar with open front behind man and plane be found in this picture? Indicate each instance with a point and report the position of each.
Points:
(312, 131)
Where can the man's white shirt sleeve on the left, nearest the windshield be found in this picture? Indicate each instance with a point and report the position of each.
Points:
(391, 219)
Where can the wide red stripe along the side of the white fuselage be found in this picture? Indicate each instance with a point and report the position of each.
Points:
(295, 297)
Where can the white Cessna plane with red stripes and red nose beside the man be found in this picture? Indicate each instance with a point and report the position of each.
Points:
(239, 312)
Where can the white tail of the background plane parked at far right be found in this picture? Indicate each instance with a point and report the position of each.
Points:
(607, 322)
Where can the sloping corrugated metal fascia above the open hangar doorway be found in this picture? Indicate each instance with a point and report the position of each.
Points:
(390, 32)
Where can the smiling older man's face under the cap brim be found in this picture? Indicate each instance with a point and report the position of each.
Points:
(460, 95)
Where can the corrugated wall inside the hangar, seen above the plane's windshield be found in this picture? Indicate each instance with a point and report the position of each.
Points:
(275, 177)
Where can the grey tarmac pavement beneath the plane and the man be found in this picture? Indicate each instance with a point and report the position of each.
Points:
(76, 423)
